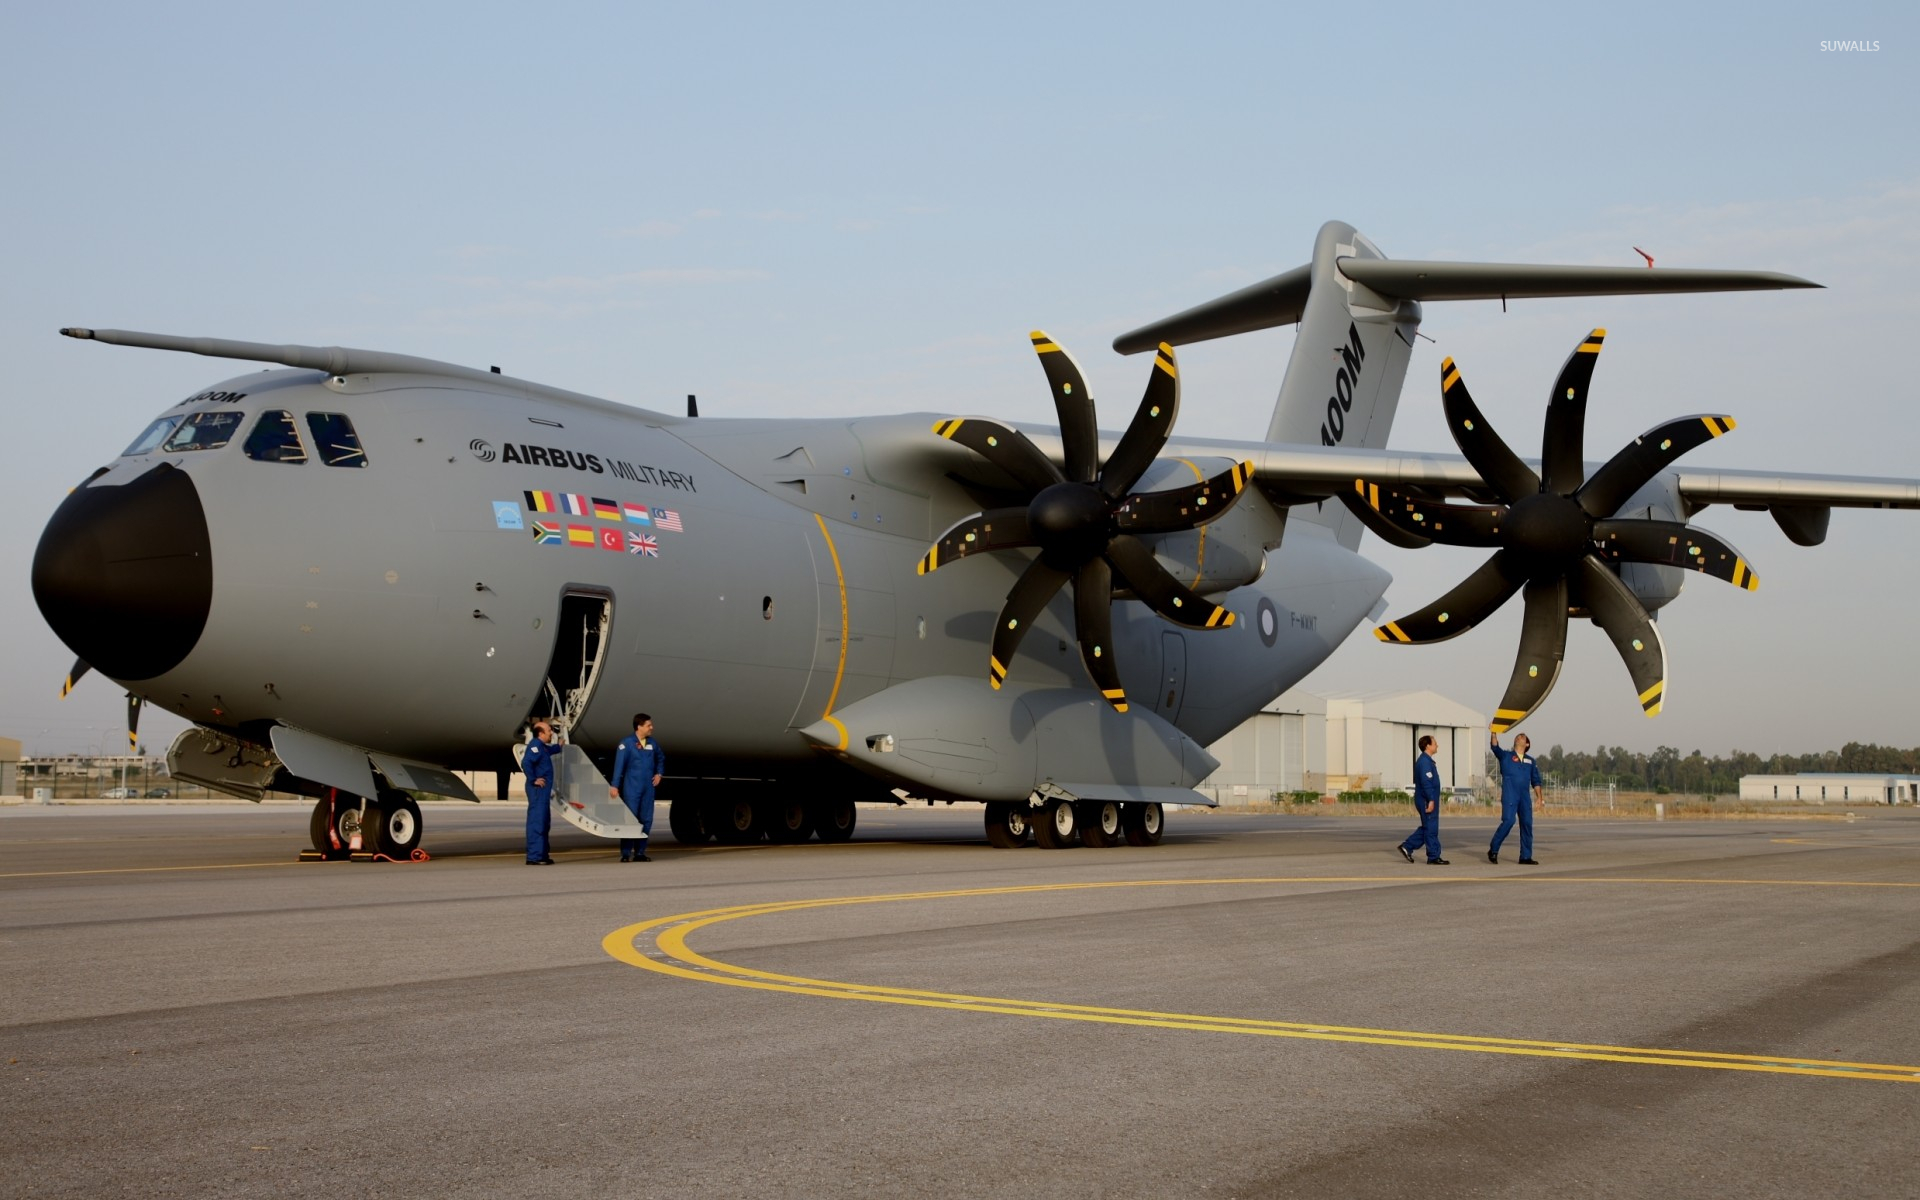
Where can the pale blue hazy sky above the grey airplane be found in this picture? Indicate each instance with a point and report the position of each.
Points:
(863, 208)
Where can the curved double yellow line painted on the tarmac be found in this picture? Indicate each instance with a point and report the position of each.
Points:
(673, 957)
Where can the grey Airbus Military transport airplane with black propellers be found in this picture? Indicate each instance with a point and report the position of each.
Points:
(360, 573)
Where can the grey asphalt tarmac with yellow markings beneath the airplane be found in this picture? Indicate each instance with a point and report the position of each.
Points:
(1259, 1007)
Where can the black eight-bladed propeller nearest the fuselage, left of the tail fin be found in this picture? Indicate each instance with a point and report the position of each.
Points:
(1088, 521)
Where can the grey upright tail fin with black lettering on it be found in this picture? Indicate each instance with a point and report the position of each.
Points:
(1351, 358)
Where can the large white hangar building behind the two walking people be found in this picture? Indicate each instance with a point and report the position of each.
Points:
(1360, 740)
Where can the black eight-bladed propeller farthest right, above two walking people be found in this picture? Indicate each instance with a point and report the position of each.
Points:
(1556, 537)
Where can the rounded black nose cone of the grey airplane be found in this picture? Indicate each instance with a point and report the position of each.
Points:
(126, 575)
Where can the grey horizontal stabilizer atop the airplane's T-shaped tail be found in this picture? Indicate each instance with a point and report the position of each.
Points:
(1284, 299)
